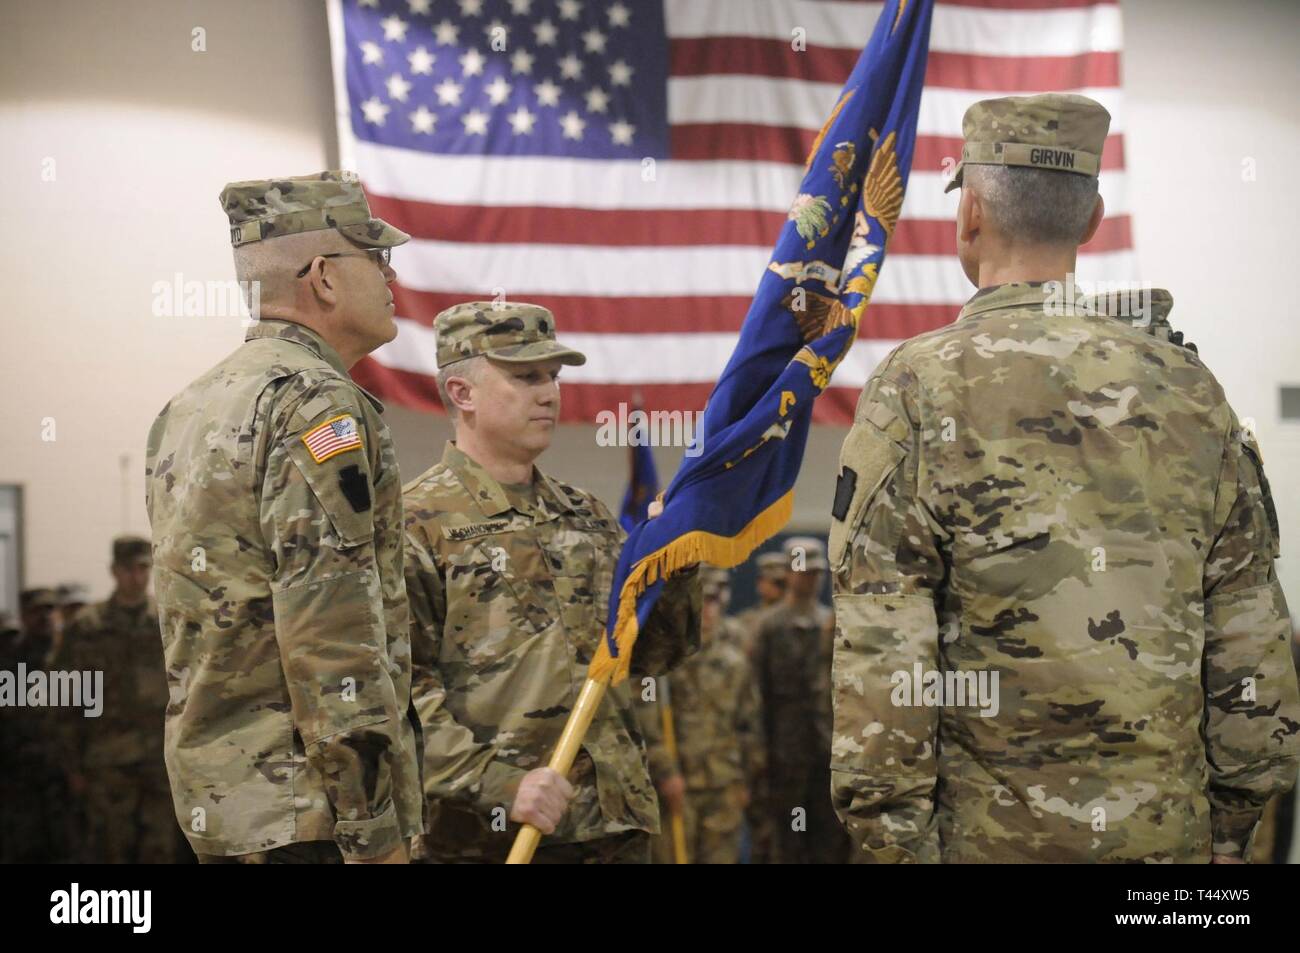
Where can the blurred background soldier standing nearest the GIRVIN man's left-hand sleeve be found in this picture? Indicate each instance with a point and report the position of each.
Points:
(792, 665)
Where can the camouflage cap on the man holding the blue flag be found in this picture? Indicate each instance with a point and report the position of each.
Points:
(513, 332)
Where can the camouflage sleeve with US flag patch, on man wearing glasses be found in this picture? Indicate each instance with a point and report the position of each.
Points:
(318, 521)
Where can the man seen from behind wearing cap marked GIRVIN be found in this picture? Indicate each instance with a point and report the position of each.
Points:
(1067, 503)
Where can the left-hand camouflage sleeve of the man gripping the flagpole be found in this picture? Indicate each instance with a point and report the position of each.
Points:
(457, 766)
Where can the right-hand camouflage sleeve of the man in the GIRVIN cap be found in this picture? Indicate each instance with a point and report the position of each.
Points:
(1253, 713)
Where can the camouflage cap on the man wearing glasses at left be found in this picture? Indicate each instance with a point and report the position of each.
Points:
(270, 209)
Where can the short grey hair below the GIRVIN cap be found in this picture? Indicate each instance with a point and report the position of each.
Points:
(1037, 206)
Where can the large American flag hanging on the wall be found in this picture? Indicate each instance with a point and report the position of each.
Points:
(629, 164)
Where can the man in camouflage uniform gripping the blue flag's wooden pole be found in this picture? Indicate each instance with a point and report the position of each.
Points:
(510, 574)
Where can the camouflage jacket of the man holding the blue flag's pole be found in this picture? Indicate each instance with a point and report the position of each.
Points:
(509, 595)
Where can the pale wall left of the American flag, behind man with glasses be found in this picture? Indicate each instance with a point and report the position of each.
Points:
(144, 133)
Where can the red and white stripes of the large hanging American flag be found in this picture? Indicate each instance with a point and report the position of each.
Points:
(652, 276)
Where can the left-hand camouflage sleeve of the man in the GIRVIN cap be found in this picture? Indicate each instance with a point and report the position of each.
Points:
(887, 568)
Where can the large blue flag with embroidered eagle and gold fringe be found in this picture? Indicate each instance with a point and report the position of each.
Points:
(725, 503)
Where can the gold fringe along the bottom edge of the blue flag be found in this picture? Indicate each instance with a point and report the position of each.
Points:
(696, 547)
